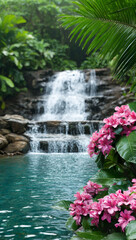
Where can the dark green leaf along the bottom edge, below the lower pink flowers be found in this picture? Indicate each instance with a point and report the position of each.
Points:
(92, 235)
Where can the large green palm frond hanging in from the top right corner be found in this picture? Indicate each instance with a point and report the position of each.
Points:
(106, 26)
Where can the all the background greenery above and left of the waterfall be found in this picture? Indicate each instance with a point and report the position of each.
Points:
(31, 38)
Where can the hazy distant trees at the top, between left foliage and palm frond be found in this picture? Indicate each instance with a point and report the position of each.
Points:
(43, 23)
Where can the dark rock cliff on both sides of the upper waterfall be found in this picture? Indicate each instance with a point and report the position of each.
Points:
(109, 95)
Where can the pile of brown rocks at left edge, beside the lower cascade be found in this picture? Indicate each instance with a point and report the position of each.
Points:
(12, 138)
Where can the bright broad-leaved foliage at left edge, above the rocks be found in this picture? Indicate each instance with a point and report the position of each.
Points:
(19, 50)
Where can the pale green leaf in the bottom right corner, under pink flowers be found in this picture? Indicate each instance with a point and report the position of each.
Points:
(131, 230)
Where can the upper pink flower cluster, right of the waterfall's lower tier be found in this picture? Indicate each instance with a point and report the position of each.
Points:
(102, 141)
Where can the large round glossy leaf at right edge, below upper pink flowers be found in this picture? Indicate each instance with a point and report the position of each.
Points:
(126, 147)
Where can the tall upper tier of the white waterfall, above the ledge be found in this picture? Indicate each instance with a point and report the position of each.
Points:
(66, 99)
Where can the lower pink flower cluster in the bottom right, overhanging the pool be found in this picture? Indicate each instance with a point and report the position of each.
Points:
(119, 206)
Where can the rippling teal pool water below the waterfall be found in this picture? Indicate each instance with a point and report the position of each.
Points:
(29, 187)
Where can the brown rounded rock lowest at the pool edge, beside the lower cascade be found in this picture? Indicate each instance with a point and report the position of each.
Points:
(18, 146)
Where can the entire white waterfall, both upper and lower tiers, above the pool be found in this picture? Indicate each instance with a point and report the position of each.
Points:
(63, 126)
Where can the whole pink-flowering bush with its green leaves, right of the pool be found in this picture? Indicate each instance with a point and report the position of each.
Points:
(106, 207)
